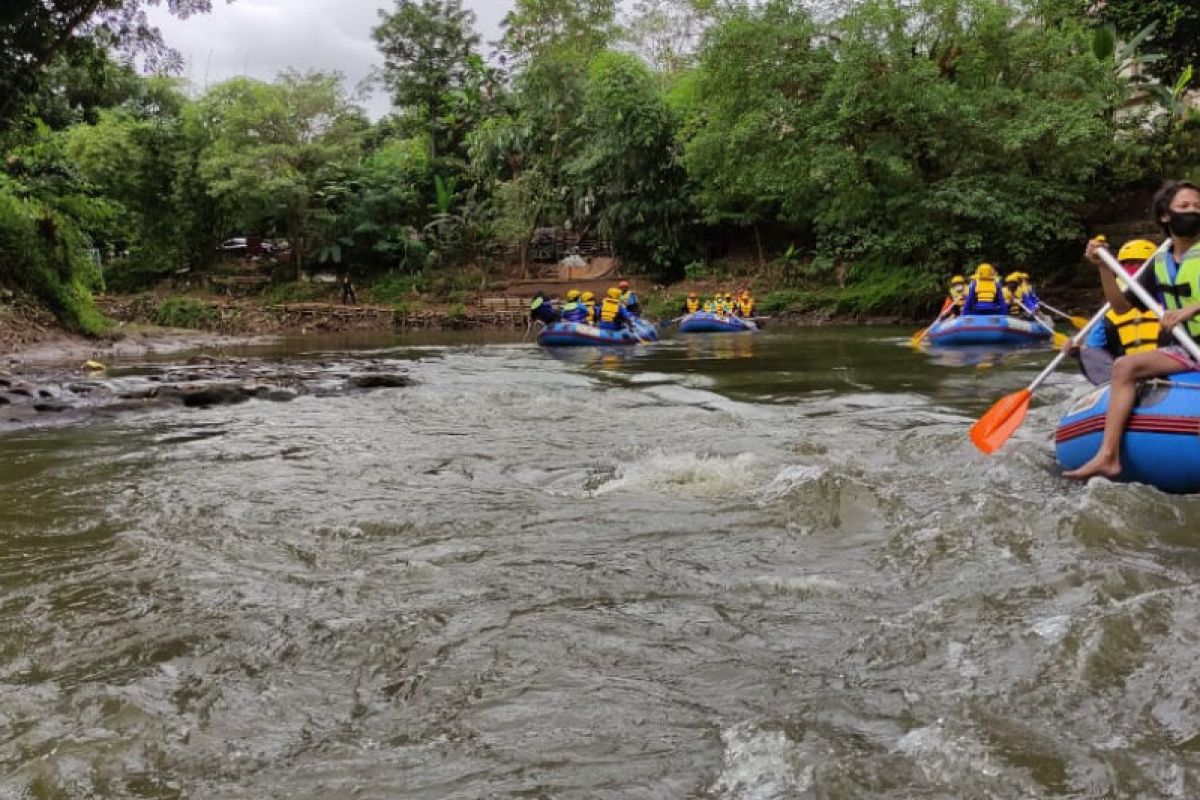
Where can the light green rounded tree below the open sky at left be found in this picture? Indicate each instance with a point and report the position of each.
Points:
(273, 152)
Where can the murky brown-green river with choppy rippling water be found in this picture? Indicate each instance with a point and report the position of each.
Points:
(715, 568)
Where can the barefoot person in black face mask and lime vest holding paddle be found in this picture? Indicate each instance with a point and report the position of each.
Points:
(1174, 280)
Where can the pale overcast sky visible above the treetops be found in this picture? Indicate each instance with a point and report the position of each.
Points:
(262, 38)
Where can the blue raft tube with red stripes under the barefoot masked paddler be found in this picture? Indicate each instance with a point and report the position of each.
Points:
(1161, 446)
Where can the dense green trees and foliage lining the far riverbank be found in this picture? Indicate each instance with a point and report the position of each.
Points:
(859, 157)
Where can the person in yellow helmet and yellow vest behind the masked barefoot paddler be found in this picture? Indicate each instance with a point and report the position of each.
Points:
(1129, 334)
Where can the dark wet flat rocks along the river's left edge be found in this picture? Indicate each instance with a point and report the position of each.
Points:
(40, 396)
